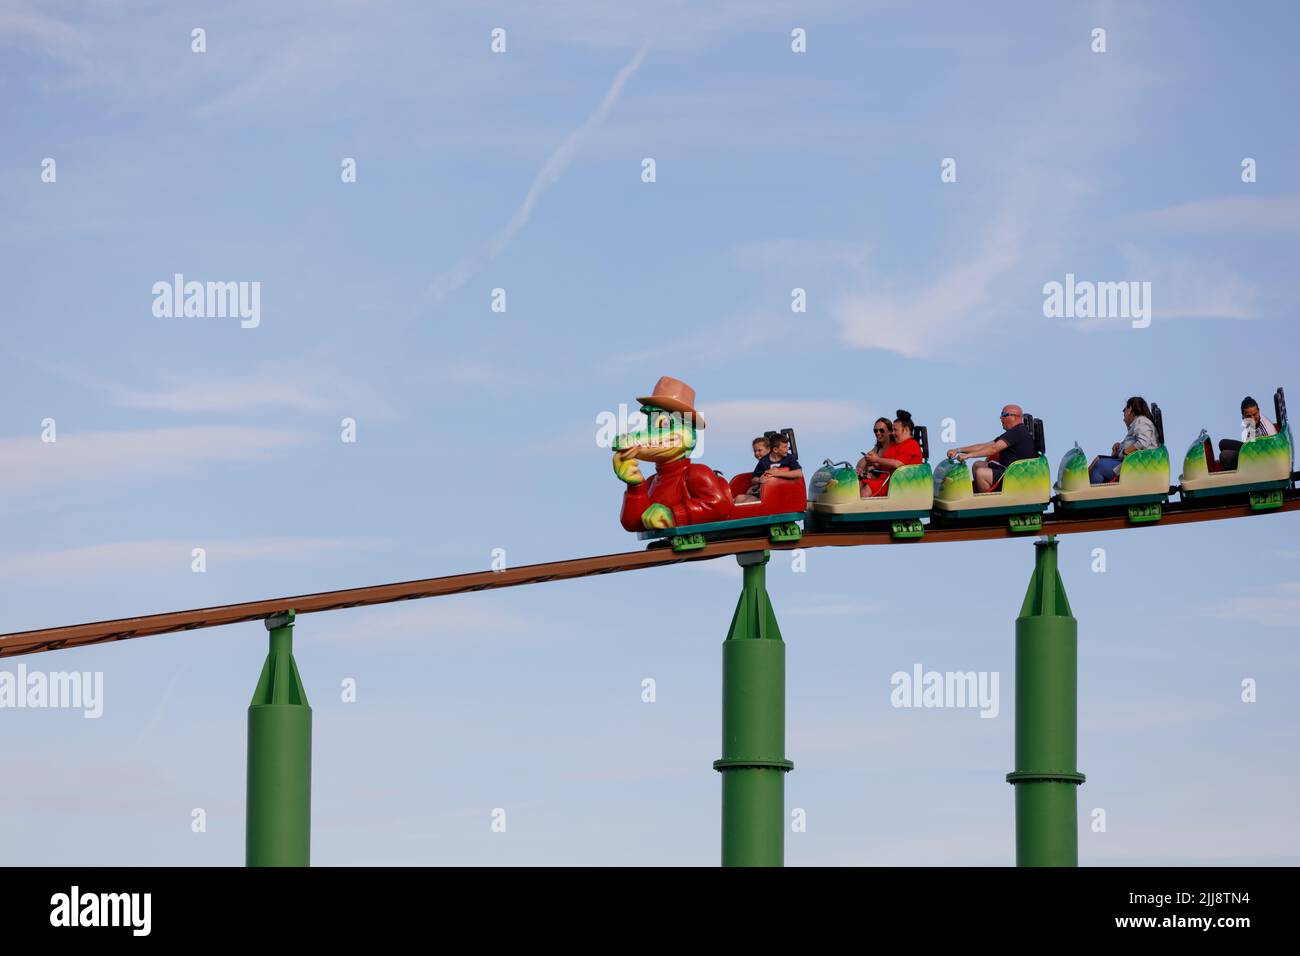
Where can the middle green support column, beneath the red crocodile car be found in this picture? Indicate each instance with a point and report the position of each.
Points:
(753, 763)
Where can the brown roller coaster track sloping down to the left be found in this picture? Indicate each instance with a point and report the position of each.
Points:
(656, 556)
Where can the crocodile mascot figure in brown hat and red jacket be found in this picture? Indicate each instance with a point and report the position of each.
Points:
(681, 492)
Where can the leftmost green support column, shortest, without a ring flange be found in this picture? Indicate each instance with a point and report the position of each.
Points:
(280, 759)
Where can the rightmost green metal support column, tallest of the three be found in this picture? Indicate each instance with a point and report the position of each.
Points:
(1047, 689)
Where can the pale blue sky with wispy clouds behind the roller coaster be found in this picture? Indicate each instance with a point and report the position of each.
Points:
(476, 430)
